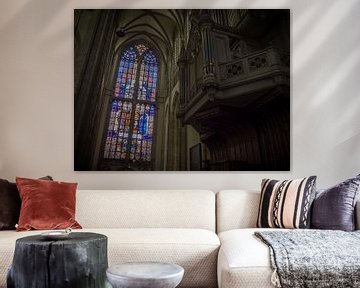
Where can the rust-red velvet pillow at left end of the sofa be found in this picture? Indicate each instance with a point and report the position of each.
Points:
(46, 204)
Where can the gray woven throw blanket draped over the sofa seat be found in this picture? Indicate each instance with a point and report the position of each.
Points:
(313, 258)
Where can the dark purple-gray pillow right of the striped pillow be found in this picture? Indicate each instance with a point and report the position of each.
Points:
(334, 208)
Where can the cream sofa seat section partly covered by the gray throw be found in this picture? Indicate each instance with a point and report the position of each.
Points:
(244, 261)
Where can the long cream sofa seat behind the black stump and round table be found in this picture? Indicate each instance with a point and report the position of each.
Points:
(194, 249)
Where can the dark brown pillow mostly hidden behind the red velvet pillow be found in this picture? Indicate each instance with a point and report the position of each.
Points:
(10, 204)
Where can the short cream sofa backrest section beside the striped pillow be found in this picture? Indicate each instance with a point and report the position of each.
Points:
(236, 209)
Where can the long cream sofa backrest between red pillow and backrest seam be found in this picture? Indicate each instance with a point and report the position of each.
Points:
(146, 209)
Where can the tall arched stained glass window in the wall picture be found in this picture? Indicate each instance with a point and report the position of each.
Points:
(131, 122)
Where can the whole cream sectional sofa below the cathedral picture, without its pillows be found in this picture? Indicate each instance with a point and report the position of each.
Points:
(210, 235)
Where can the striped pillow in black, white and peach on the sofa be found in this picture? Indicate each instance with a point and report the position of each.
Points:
(286, 204)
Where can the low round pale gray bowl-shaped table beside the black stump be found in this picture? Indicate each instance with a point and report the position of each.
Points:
(145, 275)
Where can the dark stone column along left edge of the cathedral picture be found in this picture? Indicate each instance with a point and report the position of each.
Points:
(88, 97)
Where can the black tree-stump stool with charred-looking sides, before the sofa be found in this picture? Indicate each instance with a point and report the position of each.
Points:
(79, 261)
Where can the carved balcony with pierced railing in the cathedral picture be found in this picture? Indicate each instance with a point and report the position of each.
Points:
(239, 82)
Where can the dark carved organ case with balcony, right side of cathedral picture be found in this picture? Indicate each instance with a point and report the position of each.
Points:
(234, 73)
